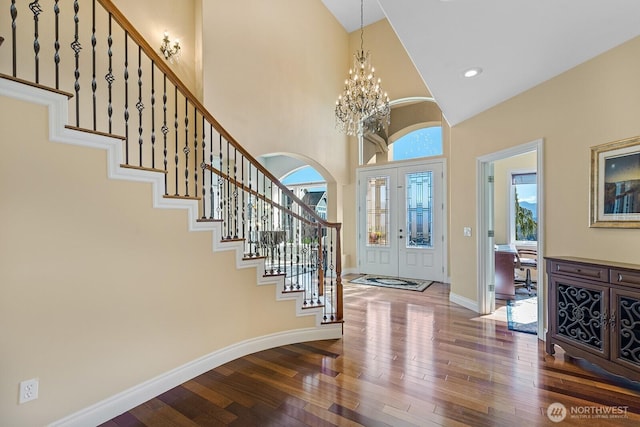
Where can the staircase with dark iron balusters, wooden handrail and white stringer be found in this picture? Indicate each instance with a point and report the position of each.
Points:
(127, 101)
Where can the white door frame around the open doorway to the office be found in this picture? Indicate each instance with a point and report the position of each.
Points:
(485, 249)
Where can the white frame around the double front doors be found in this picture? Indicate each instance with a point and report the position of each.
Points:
(400, 164)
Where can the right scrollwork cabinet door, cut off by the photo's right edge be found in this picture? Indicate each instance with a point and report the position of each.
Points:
(625, 340)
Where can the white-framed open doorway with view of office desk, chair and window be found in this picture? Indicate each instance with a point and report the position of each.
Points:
(510, 218)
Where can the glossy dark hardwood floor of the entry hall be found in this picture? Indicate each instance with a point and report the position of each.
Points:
(406, 359)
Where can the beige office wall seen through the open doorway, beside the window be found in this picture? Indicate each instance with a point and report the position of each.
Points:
(502, 188)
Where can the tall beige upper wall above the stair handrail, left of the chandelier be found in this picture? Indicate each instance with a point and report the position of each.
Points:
(272, 74)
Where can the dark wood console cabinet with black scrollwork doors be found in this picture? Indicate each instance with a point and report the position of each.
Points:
(594, 312)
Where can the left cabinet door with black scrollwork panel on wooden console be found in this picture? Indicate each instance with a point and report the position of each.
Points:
(581, 315)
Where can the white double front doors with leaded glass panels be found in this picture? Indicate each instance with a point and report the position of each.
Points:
(400, 220)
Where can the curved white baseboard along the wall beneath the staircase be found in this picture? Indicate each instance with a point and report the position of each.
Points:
(128, 399)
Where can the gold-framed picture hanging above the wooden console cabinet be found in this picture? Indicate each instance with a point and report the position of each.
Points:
(615, 184)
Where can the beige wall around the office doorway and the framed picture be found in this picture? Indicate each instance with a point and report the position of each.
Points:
(594, 103)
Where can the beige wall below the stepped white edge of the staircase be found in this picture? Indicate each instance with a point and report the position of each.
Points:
(99, 291)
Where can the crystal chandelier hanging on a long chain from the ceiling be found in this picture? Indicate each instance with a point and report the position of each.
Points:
(363, 107)
